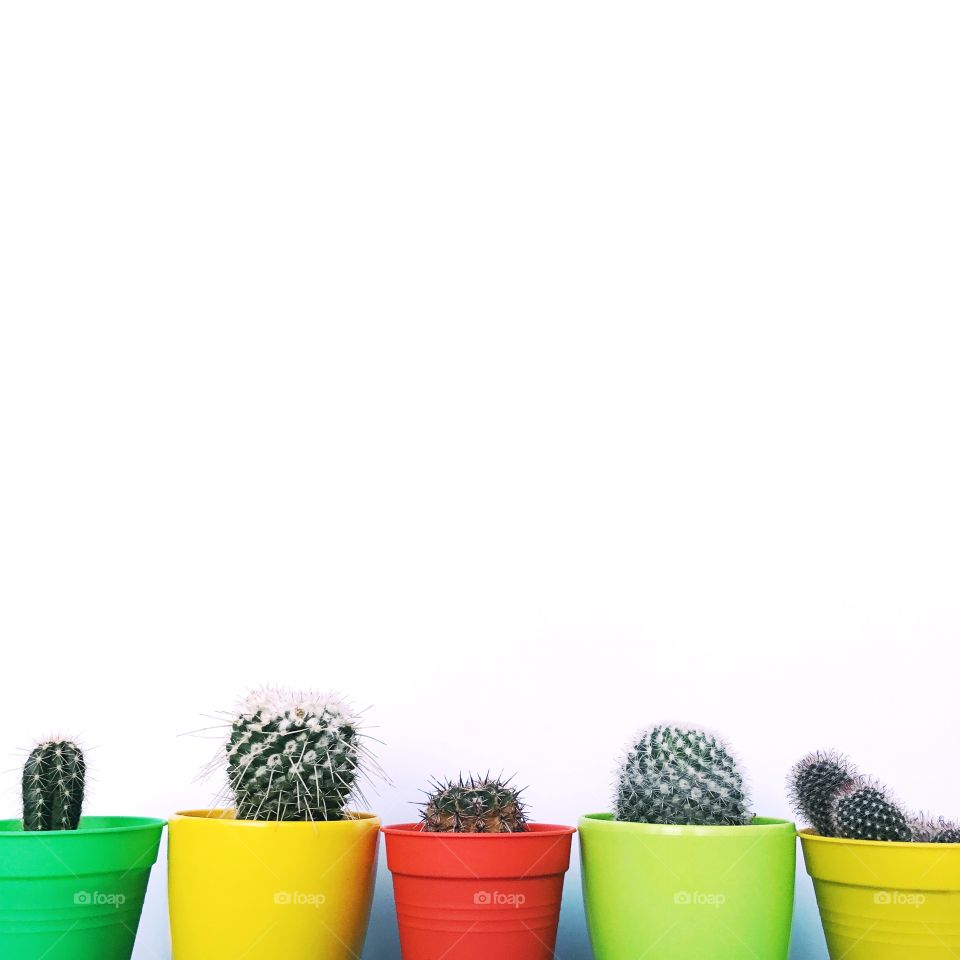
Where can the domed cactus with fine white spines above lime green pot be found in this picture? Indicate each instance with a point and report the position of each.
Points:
(678, 776)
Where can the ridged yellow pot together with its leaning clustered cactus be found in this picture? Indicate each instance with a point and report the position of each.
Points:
(887, 881)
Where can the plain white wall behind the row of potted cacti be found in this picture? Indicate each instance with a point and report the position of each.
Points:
(529, 371)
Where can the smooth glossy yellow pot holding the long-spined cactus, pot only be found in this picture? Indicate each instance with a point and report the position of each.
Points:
(263, 890)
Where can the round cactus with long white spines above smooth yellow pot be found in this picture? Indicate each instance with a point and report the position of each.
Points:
(294, 756)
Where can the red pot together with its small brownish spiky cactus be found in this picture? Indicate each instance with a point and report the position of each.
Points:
(475, 879)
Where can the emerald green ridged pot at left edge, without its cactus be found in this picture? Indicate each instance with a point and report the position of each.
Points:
(75, 894)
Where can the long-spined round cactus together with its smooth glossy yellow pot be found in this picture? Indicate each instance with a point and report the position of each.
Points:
(288, 869)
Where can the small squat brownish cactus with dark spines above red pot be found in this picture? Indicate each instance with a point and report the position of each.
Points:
(473, 805)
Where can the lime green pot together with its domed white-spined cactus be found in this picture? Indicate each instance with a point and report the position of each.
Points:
(681, 868)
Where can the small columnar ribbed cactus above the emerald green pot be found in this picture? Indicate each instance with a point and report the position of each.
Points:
(54, 779)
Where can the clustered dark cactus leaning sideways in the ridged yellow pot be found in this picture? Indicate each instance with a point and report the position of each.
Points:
(827, 793)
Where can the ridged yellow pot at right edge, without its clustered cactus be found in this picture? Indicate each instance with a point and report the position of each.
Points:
(886, 901)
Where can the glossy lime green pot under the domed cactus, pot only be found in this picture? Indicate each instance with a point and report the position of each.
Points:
(688, 893)
